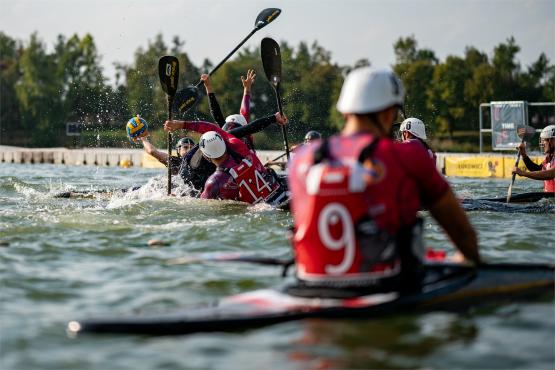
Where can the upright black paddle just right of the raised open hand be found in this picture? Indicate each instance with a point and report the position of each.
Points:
(271, 61)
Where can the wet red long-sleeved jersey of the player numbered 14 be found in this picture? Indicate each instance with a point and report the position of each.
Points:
(249, 174)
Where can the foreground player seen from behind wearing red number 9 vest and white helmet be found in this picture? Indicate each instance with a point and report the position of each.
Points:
(355, 197)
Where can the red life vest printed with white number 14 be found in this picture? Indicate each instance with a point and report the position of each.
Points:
(255, 184)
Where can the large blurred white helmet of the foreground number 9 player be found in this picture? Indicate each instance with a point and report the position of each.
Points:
(367, 90)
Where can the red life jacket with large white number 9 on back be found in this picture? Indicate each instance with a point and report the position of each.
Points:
(339, 244)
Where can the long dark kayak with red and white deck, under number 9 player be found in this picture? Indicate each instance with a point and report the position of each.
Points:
(448, 287)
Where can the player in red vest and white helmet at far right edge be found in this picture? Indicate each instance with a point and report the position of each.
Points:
(546, 170)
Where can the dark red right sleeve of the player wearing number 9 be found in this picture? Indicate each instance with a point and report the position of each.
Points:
(417, 162)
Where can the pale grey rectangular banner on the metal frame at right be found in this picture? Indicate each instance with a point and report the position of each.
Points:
(506, 118)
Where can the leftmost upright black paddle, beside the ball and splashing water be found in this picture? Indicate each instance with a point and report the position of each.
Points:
(168, 70)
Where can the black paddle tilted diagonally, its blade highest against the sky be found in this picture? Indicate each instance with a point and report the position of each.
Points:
(190, 95)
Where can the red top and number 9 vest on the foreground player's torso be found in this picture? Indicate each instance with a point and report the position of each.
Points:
(350, 215)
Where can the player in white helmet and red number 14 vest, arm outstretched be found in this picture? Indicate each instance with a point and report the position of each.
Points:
(231, 155)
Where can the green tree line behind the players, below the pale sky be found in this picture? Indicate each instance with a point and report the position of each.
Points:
(41, 90)
